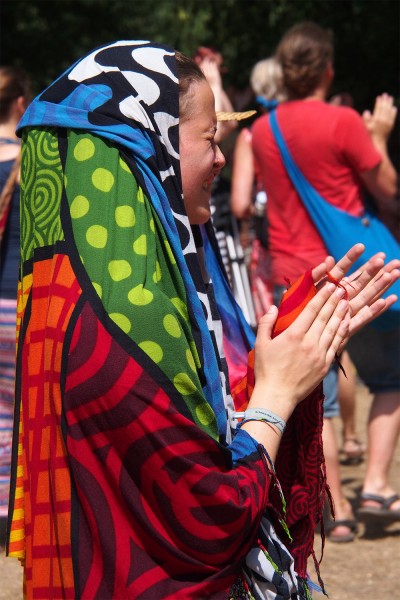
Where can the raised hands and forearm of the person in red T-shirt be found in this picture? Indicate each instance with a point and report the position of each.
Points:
(381, 181)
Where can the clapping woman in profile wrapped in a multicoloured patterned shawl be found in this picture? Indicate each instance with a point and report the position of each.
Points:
(129, 479)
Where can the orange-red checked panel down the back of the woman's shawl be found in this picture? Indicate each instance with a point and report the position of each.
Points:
(41, 515)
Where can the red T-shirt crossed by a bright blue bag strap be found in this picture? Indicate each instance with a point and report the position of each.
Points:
(331, 146)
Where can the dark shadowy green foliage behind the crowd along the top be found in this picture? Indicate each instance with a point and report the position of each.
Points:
(46, 36)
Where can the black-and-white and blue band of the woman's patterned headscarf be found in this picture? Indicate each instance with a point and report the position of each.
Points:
(127, 93)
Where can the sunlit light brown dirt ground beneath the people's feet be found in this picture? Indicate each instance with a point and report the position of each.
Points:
(366, 569)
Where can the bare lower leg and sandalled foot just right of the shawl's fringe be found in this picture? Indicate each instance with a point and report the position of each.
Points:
(342, 506)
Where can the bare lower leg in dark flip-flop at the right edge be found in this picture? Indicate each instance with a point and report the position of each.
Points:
(383, 435)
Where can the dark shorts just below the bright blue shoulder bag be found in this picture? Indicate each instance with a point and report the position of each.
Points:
(375, 351)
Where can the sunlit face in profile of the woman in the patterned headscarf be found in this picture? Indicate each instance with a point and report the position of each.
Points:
(201, 158)
